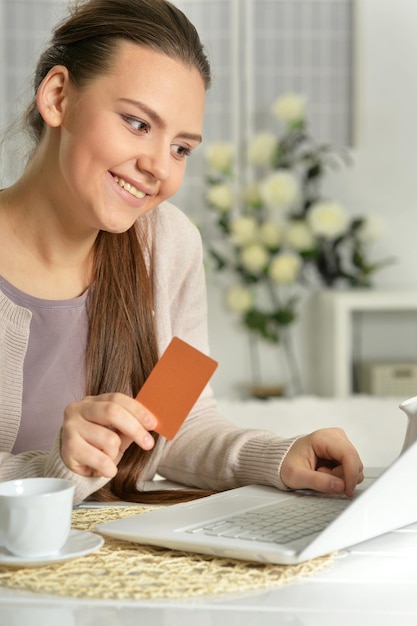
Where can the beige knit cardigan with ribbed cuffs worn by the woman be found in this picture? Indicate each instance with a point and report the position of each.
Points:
(208, 452)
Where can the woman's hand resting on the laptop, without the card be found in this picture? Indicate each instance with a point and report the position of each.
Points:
(325, 461)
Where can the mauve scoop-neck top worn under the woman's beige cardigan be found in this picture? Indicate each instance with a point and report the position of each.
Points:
(53, 372)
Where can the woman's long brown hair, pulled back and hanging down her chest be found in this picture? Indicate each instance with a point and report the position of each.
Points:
(122, 347)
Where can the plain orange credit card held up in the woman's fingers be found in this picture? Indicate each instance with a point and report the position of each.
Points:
(174, 385)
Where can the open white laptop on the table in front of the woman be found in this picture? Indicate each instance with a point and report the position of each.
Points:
(263, 524)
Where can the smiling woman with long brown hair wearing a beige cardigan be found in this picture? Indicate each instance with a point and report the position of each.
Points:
(99, 272)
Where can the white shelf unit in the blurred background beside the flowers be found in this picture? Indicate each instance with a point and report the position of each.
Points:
(339, 340)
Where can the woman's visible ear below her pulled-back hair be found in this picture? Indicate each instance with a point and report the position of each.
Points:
(52, 95)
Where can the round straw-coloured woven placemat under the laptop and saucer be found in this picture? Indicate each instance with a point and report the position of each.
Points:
(128, 571)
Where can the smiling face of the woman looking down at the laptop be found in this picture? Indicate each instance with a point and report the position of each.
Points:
(122, 143)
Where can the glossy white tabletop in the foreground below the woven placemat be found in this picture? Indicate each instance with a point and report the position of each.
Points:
(360, 589)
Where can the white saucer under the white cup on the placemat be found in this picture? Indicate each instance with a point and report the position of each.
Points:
(79, 543)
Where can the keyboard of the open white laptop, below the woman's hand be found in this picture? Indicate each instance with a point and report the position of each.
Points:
(278, 523)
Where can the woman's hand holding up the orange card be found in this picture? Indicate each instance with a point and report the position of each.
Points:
(98, 430)
